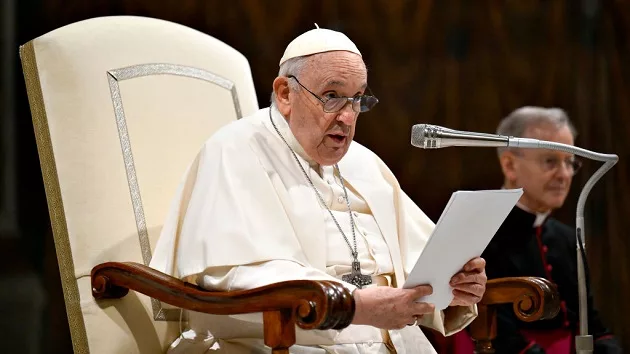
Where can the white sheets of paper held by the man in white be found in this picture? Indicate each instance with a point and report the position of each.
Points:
(464, 230)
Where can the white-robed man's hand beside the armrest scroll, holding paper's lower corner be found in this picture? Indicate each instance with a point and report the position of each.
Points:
(390, 308)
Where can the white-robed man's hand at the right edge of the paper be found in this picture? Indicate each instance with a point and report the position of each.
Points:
(470, 283)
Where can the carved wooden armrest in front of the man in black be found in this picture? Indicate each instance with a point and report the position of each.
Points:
(532, 299)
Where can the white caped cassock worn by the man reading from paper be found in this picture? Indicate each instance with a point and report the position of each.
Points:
(245, 216)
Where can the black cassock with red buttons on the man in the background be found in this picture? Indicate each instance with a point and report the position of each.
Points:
(548, 251)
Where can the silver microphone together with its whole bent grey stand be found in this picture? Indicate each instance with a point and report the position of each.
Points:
(428, 136)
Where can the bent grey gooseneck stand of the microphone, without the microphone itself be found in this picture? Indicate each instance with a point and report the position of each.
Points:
(583, 341)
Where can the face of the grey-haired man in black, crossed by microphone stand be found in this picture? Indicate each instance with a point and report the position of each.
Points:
(544, 175)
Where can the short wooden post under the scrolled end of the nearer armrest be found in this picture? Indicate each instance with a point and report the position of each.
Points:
(279, 327)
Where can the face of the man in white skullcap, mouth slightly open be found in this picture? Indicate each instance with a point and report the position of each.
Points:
(325, 137)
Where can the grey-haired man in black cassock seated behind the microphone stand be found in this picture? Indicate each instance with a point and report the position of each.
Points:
(531, 243)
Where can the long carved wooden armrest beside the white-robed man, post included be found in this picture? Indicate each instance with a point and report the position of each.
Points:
(309, 304)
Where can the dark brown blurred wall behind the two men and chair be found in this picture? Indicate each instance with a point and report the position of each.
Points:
(463, 64)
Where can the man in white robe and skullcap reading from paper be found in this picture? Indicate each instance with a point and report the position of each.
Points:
(286, 194)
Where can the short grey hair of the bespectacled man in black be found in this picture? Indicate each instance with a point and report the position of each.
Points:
(521, 119)
